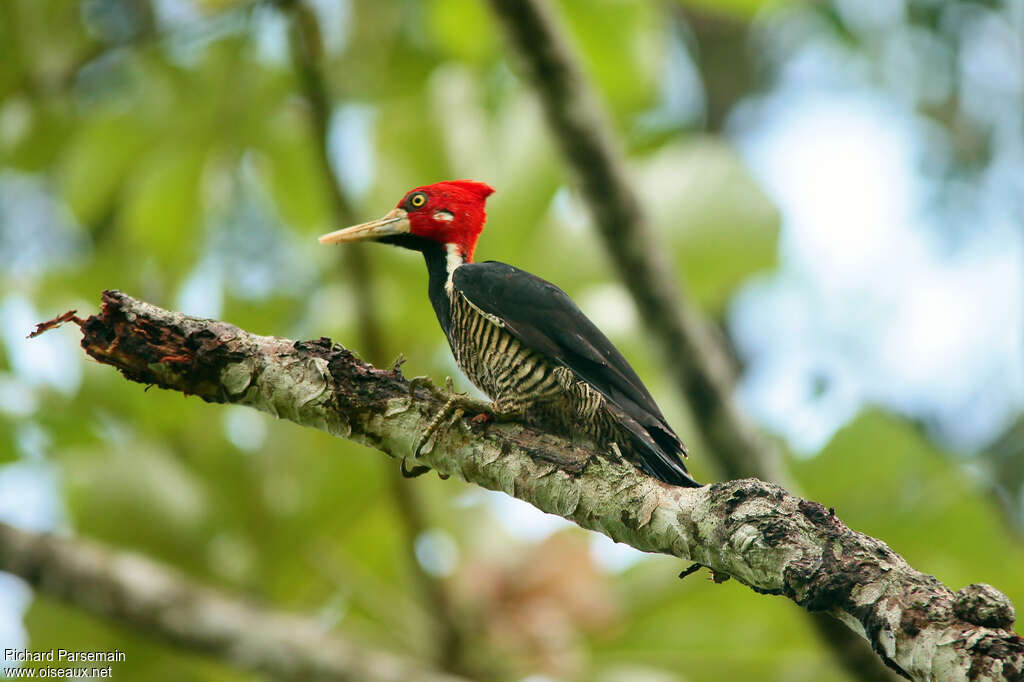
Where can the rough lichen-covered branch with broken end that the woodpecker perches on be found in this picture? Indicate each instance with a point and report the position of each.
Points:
(753, 531)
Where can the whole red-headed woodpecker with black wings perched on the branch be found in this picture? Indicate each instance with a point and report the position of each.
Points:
(522, 340)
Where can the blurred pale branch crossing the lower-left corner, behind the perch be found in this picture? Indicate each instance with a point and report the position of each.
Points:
(155, 600)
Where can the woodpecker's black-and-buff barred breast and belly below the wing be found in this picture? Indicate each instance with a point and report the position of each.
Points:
(527, 385)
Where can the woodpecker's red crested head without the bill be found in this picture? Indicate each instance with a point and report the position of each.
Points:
(451, 212)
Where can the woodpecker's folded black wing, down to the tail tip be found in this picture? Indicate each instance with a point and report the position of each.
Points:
(544, 318)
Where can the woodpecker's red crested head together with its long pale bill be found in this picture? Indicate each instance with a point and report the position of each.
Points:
(451, 212)
